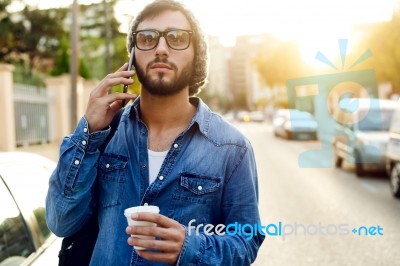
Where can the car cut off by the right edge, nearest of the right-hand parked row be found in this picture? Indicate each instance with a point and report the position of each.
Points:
(393, 154)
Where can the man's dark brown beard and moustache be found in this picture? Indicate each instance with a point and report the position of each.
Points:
(159, 86)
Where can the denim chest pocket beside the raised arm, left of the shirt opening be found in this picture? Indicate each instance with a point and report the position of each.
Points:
(112, 170)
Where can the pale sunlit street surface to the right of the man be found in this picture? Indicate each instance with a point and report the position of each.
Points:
(322, 206)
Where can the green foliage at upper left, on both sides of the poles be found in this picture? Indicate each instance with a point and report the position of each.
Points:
(38, 39)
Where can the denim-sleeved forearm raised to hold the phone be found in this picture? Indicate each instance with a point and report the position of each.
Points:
(69, 202)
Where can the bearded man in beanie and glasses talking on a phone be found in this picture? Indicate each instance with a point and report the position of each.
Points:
(169, 150)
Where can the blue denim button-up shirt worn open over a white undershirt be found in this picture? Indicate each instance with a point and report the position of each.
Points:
(209, 175)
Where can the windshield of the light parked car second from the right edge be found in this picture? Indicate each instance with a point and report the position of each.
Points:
(375, 120)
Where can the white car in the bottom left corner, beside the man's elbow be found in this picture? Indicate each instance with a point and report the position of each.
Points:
(24, 236)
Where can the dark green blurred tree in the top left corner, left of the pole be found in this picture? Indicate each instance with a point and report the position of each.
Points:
(30, 40)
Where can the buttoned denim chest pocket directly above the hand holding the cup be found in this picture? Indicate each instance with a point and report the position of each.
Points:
(198, 188)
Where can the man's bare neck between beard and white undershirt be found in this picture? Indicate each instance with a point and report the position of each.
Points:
(161, 112)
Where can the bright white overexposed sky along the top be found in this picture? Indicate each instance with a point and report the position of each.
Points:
(314, 24)
